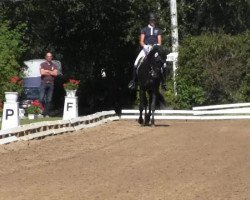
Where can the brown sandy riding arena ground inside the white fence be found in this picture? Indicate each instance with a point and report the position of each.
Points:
(122, 160)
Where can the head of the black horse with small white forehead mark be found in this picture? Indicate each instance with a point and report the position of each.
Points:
(156, 58)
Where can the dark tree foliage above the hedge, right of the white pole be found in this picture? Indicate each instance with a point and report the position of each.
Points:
(196, 17)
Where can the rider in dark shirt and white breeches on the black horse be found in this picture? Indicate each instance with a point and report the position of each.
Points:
(150, 35)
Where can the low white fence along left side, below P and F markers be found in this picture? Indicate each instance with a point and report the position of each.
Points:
(48, 128)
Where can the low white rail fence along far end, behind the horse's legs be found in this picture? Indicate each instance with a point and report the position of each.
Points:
(216, 112)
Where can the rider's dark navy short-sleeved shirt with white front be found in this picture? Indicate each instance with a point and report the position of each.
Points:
(151, 34)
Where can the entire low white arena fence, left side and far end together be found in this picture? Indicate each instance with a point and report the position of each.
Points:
(46, 128)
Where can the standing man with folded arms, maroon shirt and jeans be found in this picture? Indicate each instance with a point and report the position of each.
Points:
(48, 72)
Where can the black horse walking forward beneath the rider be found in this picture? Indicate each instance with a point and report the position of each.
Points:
(150, 75)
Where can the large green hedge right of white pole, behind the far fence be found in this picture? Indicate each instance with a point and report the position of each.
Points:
(213, 69)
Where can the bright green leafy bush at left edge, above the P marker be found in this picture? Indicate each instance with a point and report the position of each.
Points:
(11, 51)
